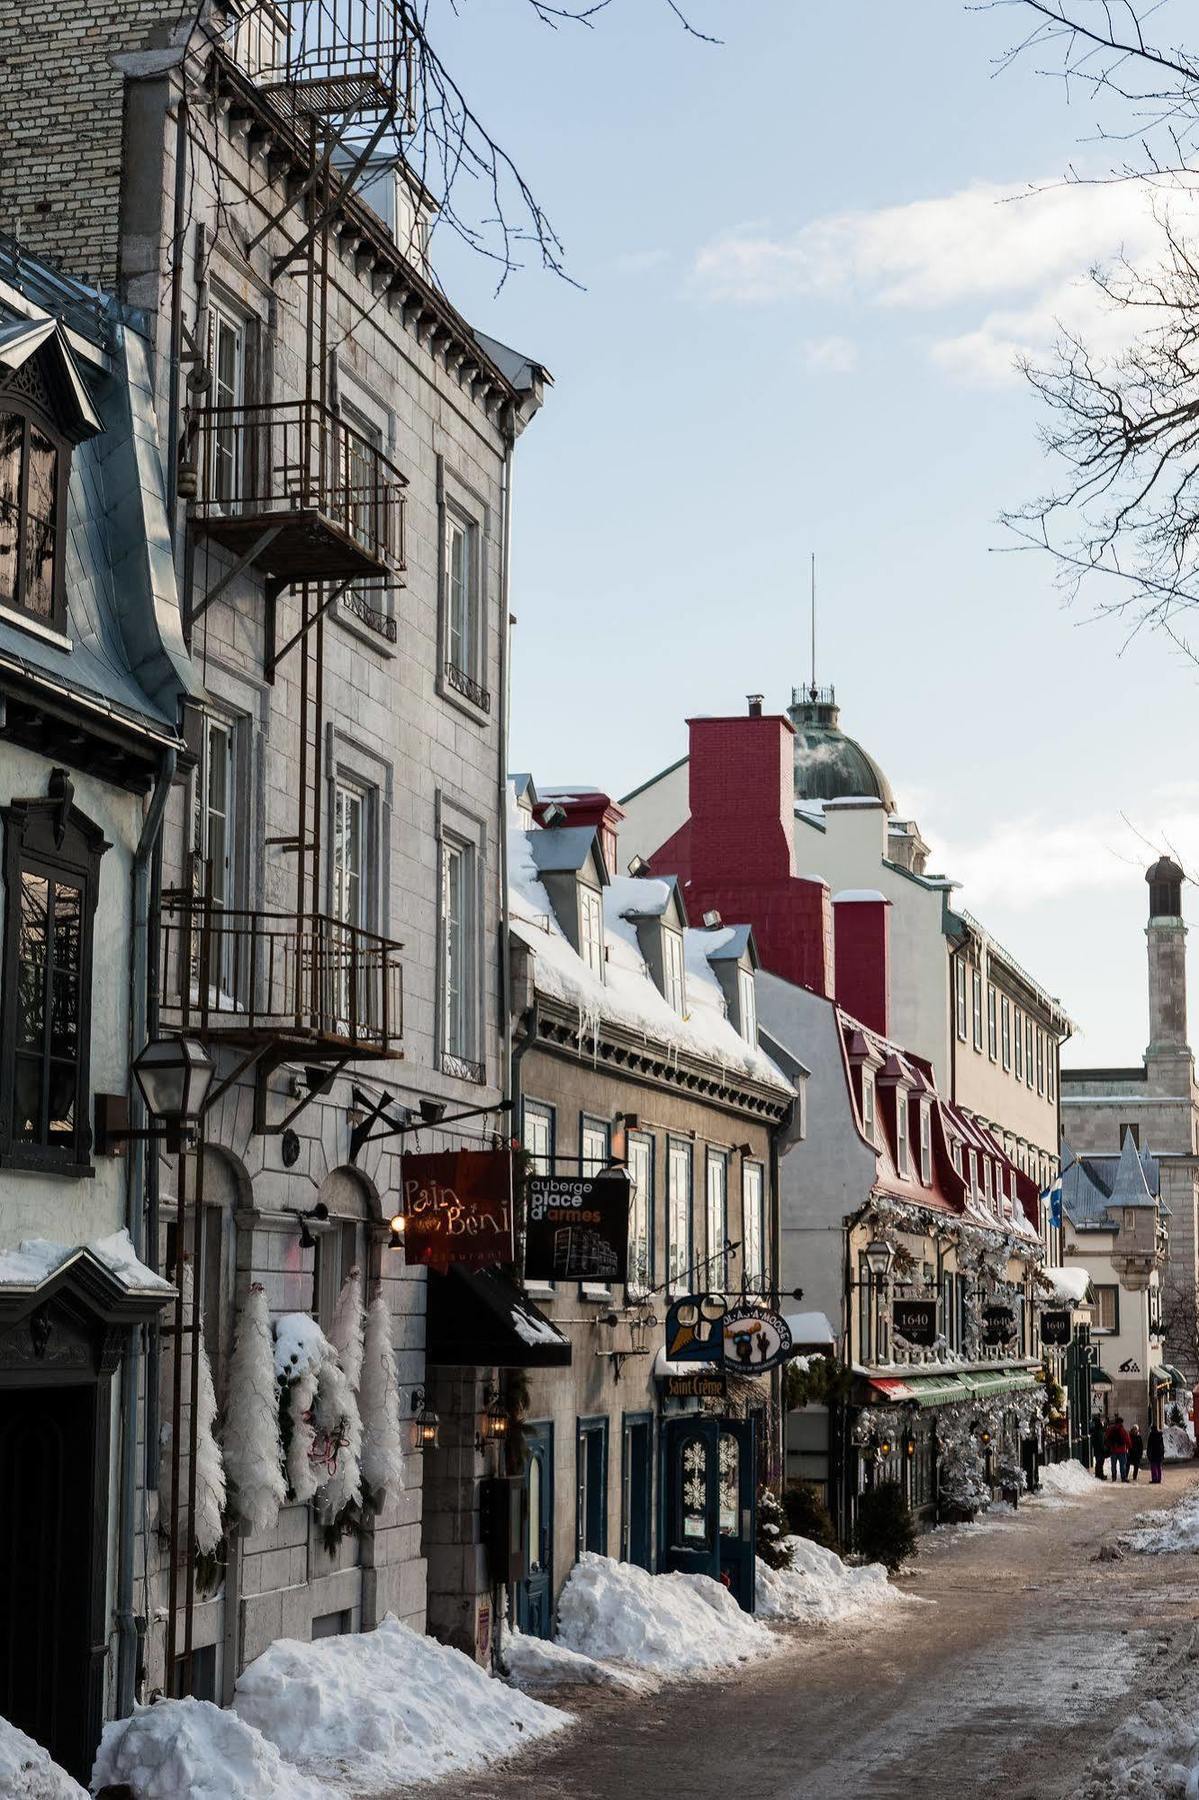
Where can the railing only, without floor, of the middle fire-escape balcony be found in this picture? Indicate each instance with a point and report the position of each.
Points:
(291, 456)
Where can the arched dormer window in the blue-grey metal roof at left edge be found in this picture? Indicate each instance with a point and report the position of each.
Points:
(33, 516)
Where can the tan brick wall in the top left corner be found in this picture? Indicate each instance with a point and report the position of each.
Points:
(62, 109)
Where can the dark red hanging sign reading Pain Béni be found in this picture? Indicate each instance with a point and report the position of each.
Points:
(458, 1209)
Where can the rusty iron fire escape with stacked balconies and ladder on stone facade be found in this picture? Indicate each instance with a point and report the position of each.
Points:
(293, 492)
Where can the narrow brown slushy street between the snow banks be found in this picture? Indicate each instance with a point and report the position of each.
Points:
(1007, 1684)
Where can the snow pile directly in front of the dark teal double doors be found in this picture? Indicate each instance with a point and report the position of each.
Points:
(672, 1624)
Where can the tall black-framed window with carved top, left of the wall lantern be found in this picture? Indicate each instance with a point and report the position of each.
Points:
(51, 867)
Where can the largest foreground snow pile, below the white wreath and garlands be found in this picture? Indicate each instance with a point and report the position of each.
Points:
(379, 1709)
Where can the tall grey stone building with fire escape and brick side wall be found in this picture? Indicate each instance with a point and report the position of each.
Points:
(338, 451)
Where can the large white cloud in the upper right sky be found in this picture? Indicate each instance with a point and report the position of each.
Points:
(1018, 264)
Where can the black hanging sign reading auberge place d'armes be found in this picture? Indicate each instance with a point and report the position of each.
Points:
(577, 1228)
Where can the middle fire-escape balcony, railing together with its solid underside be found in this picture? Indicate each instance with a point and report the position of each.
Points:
(300, 490)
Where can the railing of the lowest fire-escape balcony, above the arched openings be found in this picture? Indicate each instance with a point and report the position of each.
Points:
(309, 982)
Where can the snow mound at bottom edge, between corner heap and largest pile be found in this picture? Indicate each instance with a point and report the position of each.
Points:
(188, 1747)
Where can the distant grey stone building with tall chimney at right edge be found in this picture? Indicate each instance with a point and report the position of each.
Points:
(1158, 1104)
